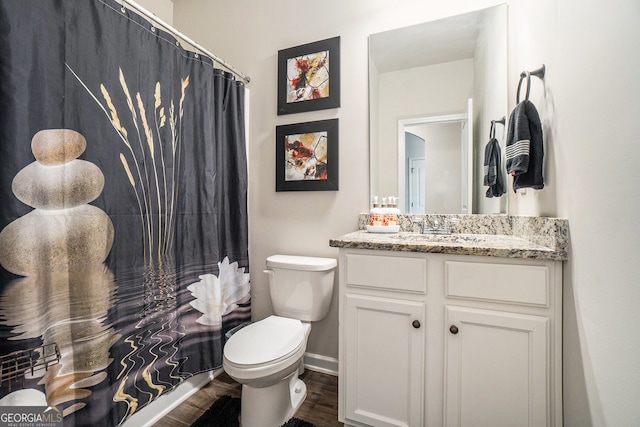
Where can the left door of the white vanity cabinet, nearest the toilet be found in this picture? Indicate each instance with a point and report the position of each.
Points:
(384, 361)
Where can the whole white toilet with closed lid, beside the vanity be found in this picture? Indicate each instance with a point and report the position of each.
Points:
(266, 357)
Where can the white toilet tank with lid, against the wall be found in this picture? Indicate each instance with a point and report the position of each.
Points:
(301, 287)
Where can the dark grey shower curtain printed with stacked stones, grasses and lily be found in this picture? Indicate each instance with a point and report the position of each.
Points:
(123, 209)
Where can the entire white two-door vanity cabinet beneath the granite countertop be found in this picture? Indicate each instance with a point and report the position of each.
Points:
(449, 340)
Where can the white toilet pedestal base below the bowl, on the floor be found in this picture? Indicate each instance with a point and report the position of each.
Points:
(273, 405)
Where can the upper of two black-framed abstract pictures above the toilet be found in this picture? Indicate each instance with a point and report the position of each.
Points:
(309, 77)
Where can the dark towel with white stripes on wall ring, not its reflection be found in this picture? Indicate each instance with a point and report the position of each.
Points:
(524, 147)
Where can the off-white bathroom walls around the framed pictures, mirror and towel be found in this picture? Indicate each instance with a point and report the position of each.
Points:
(590, 109)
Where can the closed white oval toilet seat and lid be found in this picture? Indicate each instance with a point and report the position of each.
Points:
(264, 348)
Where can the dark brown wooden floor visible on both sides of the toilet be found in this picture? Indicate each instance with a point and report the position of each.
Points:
(319, 408)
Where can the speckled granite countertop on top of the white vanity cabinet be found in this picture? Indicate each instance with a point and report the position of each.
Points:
(468, 241)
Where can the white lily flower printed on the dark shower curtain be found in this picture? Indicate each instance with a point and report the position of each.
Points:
(218, 296)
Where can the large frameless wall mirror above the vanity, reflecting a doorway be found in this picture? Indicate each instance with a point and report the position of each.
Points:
(433, 90)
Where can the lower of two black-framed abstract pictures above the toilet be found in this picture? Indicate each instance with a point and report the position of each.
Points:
(307, 156)
